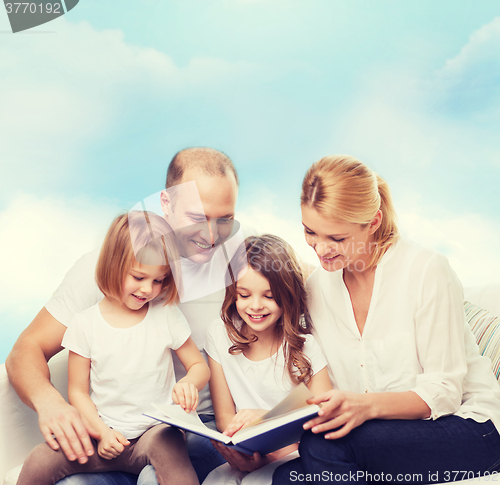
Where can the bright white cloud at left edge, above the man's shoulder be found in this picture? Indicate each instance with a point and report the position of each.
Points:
(41, 239)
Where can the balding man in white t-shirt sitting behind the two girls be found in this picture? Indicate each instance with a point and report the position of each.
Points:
(60, 423)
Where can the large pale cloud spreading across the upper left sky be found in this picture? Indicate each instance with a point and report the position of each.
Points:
(63, 91)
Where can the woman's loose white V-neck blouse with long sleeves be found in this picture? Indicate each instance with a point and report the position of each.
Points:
(415, 336)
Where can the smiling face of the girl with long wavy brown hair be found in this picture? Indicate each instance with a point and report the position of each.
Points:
(255, 303)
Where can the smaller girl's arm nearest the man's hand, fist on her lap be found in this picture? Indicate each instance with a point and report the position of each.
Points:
(111, 443)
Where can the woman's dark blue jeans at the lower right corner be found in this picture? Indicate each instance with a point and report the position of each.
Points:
(398, 451)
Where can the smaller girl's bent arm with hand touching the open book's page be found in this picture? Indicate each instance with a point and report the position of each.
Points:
(185, 392)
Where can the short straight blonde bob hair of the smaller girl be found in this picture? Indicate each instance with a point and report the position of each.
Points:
(141, 236)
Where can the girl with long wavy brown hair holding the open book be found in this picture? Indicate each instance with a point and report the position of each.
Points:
(261, 348)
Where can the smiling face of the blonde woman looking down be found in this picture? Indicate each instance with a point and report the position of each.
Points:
(339, 245)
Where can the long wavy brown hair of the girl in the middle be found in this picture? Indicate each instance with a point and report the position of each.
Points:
(275, 260)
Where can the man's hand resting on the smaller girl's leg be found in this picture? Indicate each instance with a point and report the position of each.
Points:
(62, 427)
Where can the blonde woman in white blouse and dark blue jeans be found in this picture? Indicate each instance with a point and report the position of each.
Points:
(413, 401)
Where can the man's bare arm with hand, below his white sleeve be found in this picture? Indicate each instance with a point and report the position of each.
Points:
(29, 373)
